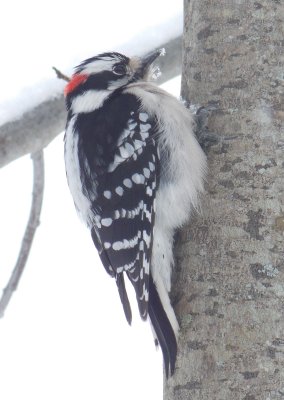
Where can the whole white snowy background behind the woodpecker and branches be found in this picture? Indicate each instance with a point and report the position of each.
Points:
(64, 335)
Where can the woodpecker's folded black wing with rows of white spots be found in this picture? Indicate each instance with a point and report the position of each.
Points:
(125, 200)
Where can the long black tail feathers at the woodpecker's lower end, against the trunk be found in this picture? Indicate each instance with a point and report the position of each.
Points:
(163, 328)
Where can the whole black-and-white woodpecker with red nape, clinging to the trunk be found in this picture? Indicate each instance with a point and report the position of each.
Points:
(135, 170)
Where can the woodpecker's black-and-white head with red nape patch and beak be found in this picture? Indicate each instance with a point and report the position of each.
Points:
(96, 78)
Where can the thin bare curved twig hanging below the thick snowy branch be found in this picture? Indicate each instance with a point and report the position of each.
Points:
(33, 223)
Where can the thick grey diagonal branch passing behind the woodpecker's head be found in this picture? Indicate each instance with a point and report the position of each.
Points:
(21, 137)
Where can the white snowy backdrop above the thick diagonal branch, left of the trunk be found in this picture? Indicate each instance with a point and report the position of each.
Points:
(46, 36)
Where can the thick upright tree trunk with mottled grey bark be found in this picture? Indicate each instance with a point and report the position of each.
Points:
(228, 290)
